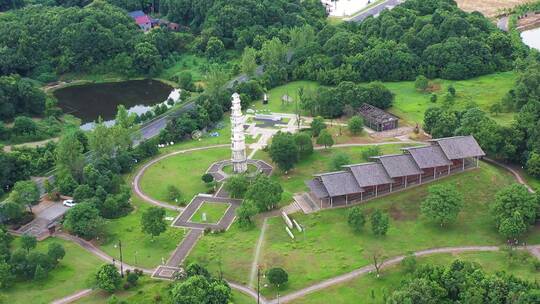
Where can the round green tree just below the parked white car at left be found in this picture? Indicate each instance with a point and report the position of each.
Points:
(83, 220)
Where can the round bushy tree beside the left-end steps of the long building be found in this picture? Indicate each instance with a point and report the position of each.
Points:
(264, 192)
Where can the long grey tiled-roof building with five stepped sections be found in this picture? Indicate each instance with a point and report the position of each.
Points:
(390, 173)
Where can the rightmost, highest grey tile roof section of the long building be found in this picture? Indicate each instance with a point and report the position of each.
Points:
(460, 147)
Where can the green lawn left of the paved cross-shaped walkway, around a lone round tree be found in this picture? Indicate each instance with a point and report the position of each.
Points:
(139, 248)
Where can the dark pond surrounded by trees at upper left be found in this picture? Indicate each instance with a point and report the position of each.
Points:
(90, 101)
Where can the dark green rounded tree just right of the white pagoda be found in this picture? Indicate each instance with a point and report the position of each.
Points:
(284, 151)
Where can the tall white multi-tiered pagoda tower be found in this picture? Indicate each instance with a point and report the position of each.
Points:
(238, 143)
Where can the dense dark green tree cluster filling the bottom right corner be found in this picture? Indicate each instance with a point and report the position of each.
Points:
(463, 282)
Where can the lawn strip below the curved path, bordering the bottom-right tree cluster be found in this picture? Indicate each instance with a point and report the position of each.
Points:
(371, 289)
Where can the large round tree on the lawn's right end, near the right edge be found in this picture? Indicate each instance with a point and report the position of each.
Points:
(510, 203)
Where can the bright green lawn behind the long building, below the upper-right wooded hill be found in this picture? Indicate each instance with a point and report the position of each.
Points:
(410, 104)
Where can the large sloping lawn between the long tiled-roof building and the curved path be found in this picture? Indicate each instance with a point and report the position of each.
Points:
(332, 248)
